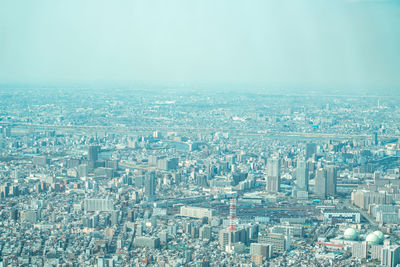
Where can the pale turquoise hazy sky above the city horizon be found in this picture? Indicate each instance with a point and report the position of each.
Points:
(292, 43)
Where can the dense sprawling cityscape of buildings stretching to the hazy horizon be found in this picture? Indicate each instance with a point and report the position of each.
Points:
(177, 177)
